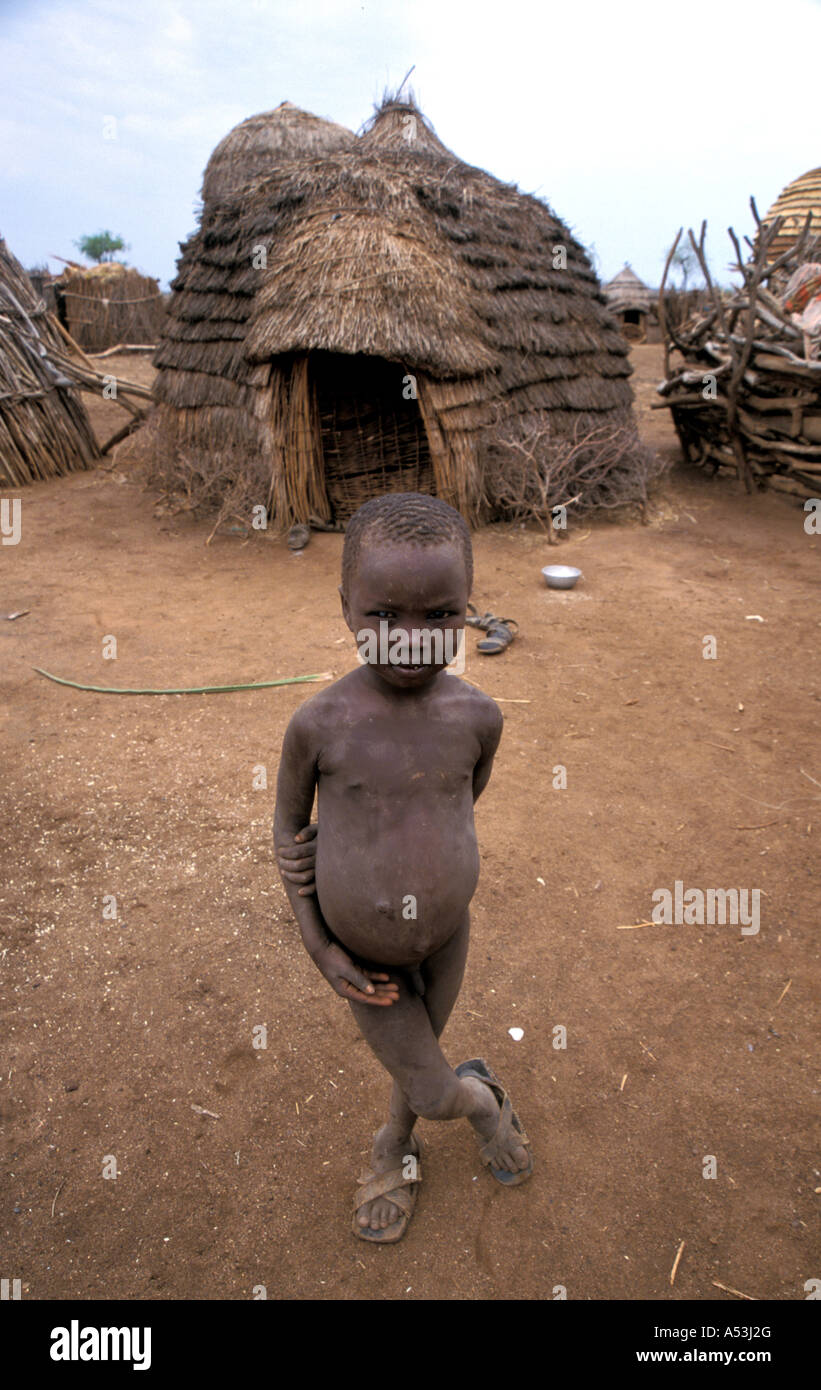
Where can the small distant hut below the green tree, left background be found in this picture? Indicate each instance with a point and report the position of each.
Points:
(108, 305)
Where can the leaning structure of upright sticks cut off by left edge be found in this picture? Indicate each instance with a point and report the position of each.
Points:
(45, 430)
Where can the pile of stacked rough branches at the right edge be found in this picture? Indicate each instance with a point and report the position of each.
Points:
(743, 379)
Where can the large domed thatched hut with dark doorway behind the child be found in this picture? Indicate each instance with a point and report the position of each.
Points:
(367, 313)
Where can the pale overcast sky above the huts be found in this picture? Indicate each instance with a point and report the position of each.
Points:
(630, 119)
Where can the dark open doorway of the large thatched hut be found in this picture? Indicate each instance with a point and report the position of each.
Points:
(373, 439)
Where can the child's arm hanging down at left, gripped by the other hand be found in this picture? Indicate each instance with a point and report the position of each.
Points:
(295, 797)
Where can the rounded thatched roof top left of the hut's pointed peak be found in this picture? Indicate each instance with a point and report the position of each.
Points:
(256, 147)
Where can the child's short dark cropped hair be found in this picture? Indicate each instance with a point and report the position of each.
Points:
(405, 516)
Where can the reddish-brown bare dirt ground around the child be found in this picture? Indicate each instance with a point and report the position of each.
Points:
(130, 1040)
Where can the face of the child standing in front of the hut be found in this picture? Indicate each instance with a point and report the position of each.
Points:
(406, 607)
